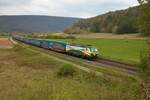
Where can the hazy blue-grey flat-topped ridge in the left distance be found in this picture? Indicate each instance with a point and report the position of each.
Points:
(29, 23)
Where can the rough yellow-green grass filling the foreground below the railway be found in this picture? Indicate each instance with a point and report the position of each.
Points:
(28, 75)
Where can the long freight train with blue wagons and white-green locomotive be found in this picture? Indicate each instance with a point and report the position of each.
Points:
(88, 52)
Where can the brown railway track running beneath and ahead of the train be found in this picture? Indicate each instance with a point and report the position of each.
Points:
(103, 62)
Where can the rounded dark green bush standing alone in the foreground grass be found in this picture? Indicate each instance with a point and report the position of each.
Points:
(66, 70)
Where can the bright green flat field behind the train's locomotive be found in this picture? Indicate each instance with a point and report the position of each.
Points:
(119, 49)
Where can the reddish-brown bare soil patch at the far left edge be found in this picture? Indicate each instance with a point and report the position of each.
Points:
(5, 43)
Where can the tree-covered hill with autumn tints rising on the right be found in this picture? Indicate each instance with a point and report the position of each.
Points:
(121, 21)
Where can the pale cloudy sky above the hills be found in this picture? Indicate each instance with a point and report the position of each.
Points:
(67, 8)
